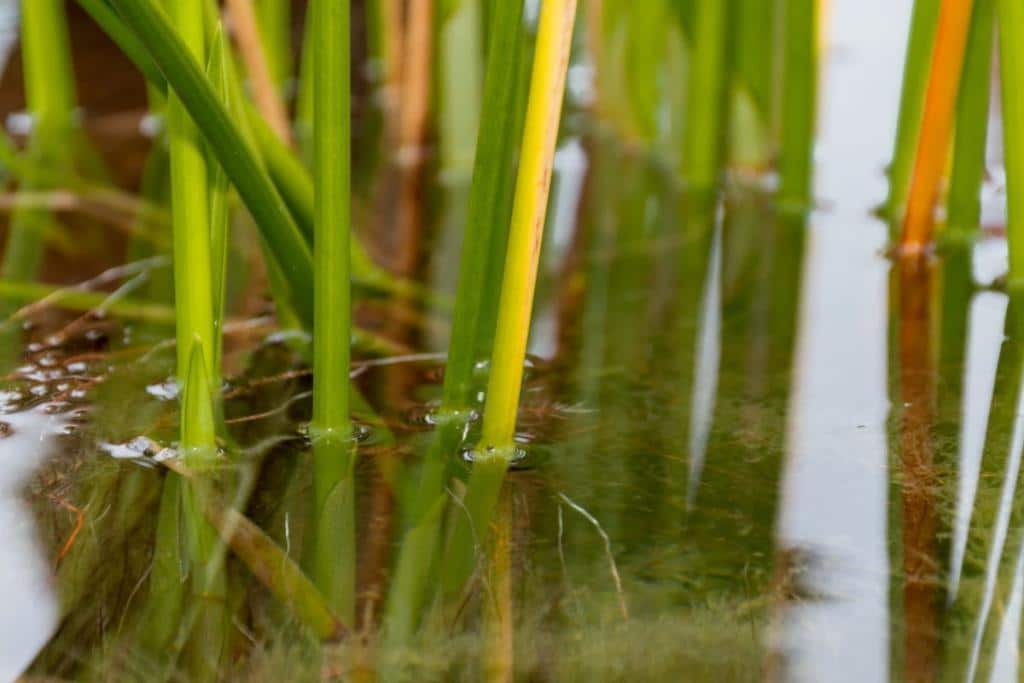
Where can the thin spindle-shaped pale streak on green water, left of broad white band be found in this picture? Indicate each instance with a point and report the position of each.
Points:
(709, 353)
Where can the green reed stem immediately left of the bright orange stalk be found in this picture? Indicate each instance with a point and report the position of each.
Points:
(916, 70)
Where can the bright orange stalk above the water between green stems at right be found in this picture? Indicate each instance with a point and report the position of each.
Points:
(936, 130)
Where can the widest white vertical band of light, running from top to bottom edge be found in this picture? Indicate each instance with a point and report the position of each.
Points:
(834, 505)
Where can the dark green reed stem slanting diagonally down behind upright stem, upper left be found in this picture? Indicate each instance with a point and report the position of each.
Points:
(234, 153)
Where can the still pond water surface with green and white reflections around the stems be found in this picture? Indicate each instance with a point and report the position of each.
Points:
(756, 449)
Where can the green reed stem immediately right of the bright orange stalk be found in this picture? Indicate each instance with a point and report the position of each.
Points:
(964, 212)
